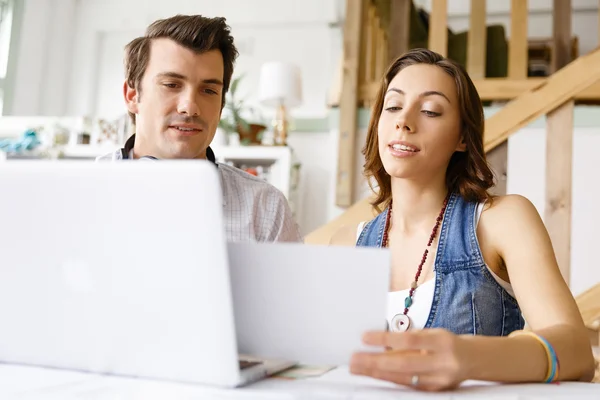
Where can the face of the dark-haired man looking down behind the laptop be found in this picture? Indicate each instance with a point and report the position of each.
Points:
(178, 104)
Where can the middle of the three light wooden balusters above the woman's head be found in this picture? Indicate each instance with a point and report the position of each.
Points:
(477, 40)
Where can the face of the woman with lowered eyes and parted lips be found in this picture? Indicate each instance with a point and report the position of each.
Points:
(420, 125)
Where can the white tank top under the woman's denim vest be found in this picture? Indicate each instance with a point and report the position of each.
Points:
(423, 296)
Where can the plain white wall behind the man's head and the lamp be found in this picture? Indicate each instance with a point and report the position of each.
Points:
(71, 51)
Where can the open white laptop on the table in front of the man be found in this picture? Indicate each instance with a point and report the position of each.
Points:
(122, 268)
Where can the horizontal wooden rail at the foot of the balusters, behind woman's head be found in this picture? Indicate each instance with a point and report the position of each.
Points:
(501, 89)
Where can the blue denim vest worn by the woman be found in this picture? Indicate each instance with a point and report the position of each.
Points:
(467, 299)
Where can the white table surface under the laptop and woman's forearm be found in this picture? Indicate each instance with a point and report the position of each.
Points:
(25, 383)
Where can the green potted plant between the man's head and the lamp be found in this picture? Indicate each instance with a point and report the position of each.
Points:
(233, 122)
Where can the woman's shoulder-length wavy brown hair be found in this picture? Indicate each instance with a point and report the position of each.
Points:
(468, 172)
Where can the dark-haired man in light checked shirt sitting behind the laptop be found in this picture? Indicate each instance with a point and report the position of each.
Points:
(177, 76)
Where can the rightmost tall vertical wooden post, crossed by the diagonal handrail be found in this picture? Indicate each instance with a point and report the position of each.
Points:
(559, 150)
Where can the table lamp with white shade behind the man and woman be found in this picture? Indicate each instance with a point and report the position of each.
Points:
(280, 86)
